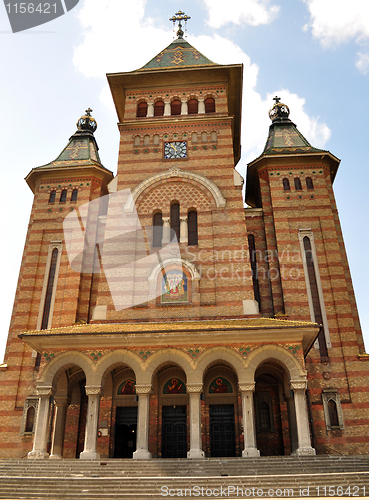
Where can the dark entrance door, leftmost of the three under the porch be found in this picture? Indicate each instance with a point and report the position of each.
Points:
(125, 432)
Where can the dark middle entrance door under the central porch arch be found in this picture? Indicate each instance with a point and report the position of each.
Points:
(174, 432)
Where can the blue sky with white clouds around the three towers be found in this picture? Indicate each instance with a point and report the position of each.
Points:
(314, 54)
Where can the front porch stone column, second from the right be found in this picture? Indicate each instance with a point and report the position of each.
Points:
(247, 396)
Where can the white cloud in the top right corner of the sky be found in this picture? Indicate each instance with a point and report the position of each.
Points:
(338, 21)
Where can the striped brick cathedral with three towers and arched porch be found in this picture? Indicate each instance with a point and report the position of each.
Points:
(157, 317)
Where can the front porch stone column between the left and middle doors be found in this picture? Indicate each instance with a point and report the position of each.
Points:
(143, 420)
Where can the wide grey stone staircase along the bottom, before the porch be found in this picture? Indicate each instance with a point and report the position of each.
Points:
(233, 478)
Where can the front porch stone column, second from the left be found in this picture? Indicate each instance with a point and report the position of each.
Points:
(92, 419)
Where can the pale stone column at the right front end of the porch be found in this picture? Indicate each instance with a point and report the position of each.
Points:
(302, 421)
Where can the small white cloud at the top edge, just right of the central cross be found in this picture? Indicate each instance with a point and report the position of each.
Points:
(253, 12)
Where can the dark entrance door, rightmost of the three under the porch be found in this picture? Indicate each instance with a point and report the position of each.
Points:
(222, 431)
